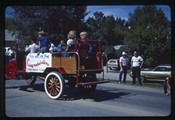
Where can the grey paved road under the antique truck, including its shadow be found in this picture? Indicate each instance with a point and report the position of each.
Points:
(109, 100)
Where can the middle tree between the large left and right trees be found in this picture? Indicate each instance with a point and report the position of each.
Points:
(104, 28)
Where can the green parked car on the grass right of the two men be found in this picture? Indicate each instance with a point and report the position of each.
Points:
(158, 73)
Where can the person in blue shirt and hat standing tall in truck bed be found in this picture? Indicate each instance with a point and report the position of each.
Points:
(43, 41)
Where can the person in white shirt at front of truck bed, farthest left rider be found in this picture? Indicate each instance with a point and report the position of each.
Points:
(33, 48)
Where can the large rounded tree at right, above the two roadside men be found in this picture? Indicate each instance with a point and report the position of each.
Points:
(147, 32)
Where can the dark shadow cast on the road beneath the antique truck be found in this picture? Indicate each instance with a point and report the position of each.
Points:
(75, 94)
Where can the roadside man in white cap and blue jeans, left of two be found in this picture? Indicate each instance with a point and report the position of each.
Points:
(123, 62)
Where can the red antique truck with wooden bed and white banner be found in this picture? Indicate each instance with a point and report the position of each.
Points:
(58, 71)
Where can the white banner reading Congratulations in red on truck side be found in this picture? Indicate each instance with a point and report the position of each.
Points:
(38, 63)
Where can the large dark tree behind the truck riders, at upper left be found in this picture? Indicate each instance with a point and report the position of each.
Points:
(52, 19)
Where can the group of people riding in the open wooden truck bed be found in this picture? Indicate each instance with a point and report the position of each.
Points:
(42, 44)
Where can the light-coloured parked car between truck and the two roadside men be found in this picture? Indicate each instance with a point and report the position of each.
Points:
(113, 64)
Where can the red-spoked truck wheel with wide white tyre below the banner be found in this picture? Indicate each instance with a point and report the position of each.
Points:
(54, 85)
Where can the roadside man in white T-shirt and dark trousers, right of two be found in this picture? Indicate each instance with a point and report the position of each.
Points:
(136, 65)
